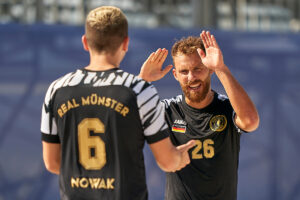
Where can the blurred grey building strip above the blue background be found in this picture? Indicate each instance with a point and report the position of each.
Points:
(249, 15)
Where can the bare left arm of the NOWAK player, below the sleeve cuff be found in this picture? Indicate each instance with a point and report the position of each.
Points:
(51, 156)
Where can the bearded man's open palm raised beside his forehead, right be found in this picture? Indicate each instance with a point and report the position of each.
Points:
(213, 59)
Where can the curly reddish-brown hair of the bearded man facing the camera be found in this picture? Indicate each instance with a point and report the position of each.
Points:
(187, 46)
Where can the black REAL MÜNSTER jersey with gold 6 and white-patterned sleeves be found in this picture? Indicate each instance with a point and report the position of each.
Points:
(102, 119)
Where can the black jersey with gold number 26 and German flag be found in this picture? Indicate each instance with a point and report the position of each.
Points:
(212, 173)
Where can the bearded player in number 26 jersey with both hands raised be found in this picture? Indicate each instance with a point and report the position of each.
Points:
(213, 120)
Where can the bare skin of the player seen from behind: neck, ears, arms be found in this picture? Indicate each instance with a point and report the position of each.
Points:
(168, 157)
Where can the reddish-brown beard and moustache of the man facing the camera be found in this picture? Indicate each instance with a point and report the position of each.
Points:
(199, 96)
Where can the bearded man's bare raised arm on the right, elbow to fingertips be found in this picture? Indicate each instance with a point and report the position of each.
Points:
(246, 114)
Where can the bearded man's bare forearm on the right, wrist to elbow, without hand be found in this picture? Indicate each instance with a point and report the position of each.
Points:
(247, 115)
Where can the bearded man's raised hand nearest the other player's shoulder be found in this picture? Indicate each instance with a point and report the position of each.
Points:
(152, 67)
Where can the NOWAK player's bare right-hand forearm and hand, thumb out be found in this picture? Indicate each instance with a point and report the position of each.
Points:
(170, 158)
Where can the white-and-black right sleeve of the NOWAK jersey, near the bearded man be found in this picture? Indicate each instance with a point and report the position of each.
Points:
(151, 112)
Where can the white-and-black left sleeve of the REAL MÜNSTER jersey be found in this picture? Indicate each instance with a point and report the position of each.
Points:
(48, 124)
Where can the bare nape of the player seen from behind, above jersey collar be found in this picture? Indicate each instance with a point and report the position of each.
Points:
(102, 62)
